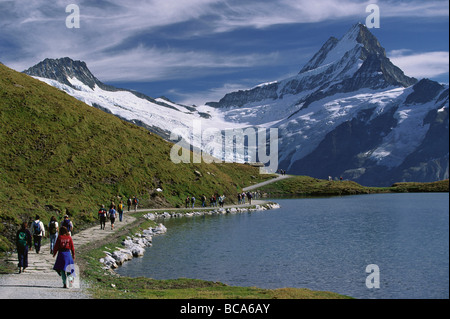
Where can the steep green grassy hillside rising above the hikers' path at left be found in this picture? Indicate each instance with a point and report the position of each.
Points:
(59, 155)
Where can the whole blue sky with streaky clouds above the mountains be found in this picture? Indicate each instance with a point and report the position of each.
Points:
(194, 51)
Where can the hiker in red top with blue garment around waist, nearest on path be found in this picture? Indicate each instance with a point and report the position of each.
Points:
(64, 264)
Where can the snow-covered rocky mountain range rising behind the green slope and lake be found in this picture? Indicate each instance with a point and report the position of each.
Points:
(349, 112)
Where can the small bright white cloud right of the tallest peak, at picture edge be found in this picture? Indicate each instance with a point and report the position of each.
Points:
(421, 65)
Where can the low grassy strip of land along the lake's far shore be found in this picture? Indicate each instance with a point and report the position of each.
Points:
(308, 186)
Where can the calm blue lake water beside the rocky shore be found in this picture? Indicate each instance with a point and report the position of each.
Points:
(316, 243)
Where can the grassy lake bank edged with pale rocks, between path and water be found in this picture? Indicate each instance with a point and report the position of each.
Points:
(109, 284)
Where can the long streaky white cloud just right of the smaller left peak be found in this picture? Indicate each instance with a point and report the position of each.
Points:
(151, 64)
